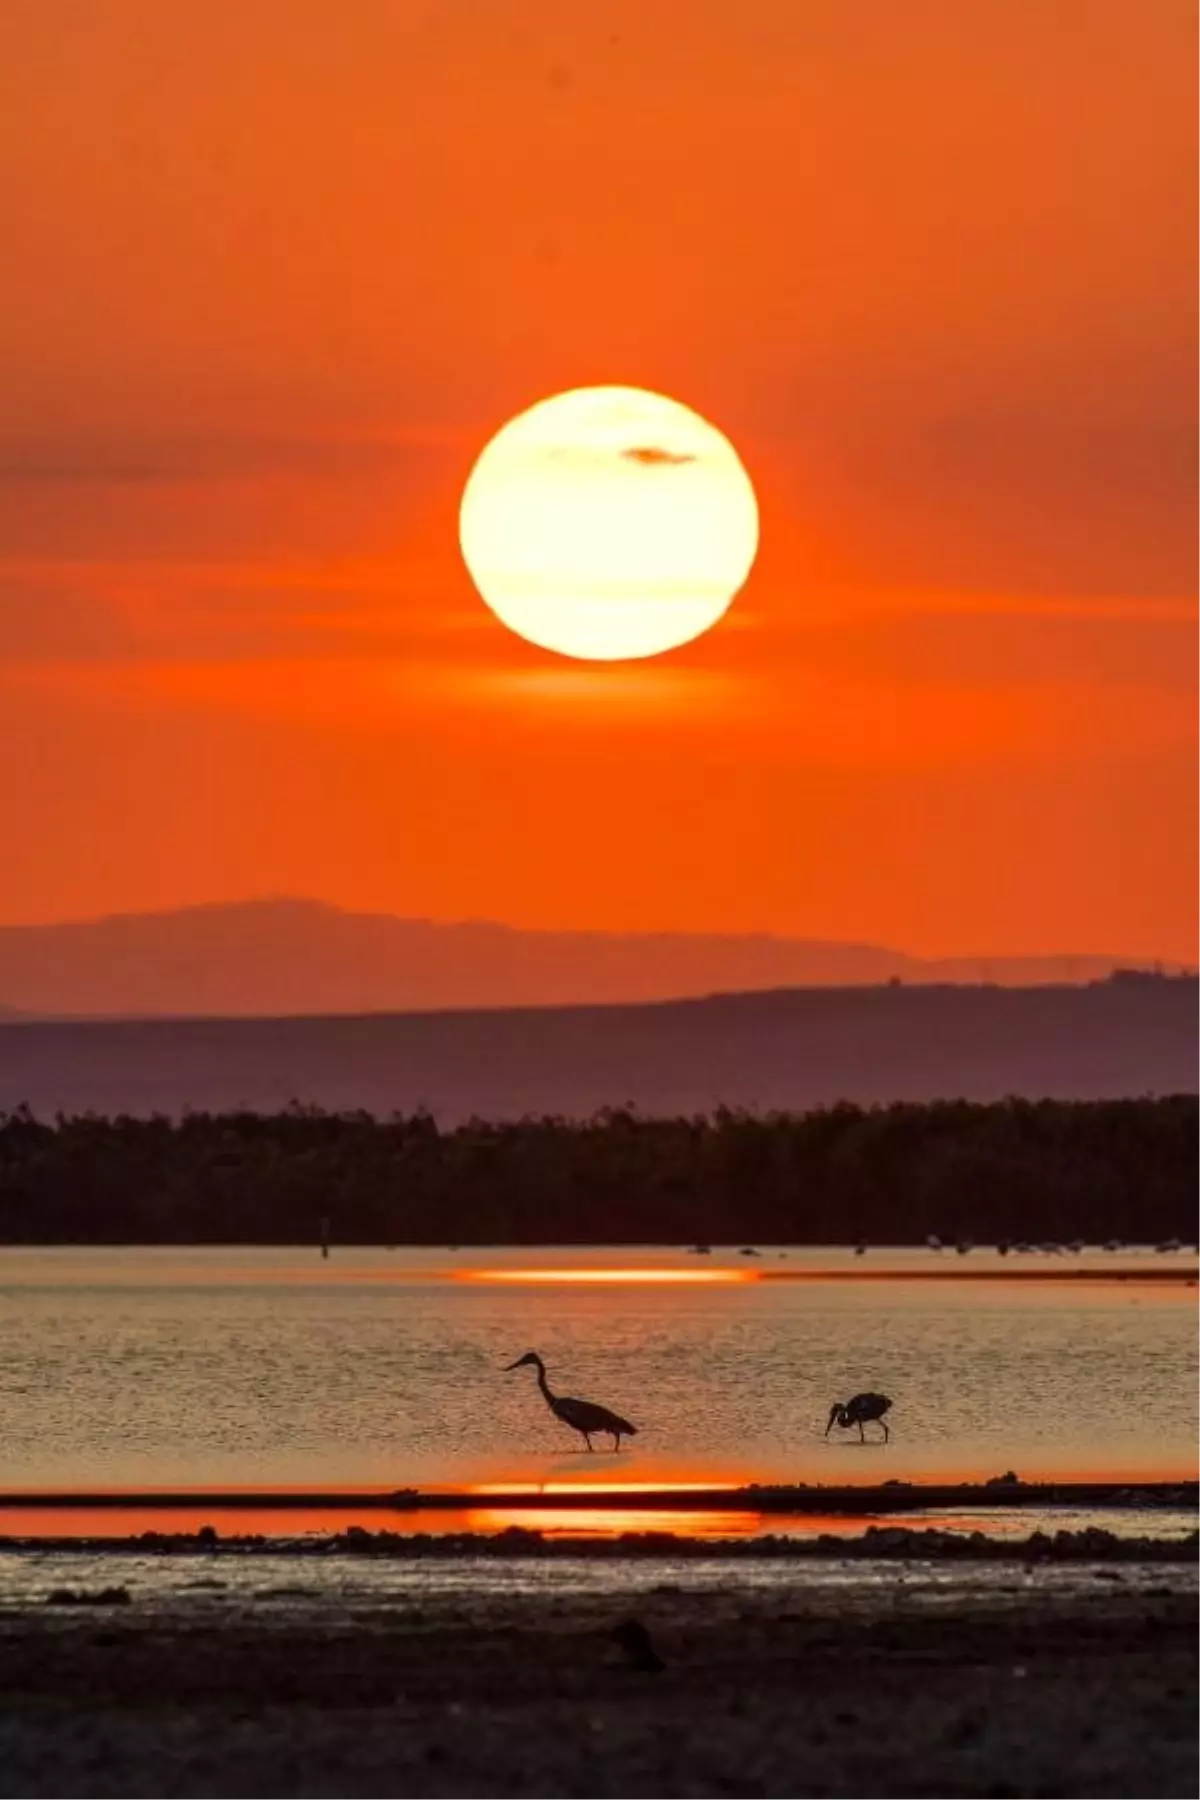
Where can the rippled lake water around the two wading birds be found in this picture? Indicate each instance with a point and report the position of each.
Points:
(271, 1369)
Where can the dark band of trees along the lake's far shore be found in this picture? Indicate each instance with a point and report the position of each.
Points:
(1019, 1169)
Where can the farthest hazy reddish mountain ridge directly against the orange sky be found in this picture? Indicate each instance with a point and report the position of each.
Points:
(271, 958)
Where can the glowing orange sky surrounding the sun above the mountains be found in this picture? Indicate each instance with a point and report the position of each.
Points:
(276, 271)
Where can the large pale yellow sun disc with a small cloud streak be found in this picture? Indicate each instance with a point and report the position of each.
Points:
(609, 525)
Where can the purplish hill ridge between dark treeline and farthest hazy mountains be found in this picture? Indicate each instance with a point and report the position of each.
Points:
(789, 1050)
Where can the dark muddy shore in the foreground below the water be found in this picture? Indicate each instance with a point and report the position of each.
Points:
(445, 1680)
